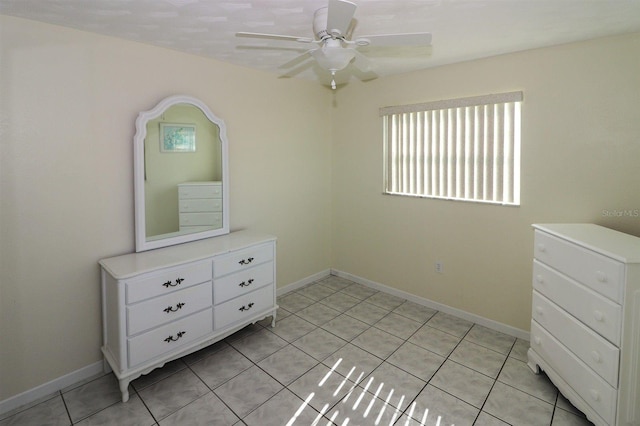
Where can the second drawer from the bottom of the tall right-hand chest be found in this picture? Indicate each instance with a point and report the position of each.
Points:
(593, 350)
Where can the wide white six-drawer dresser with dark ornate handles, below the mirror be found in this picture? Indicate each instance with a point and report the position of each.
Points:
(162, 304)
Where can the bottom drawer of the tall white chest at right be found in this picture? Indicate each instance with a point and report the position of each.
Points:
(586, 383)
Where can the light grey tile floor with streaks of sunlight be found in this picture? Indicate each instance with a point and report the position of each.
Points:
(340, 354)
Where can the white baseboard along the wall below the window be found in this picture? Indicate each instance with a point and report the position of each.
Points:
(494, 325)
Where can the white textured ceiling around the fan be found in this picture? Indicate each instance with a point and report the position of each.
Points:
(462, 29)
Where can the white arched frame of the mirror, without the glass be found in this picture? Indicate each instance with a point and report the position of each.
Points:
(142, 244)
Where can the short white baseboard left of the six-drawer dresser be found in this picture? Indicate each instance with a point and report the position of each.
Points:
(51, 387)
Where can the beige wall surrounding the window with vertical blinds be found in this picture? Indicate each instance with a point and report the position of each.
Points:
(580, 156)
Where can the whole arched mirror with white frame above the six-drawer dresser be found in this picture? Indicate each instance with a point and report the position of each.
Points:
(181, 174)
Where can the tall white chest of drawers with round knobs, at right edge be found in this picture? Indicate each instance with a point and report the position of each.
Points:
(585, 327)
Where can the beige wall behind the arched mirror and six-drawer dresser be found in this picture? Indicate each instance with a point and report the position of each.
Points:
(69, 101)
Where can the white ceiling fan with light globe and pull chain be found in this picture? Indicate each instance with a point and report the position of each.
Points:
(336, 49)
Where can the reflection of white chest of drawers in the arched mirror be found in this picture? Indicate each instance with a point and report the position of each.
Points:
(200, 206)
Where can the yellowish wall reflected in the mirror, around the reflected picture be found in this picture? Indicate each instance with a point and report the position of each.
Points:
(165, 170)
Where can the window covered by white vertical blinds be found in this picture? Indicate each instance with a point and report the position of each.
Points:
(460, 149)
